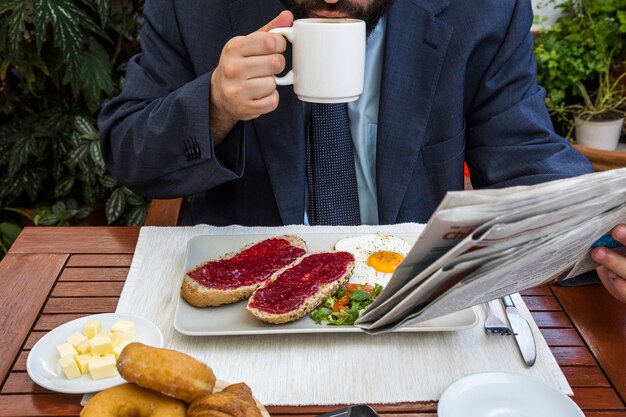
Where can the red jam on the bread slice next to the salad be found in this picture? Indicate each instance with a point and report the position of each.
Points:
(289, 290)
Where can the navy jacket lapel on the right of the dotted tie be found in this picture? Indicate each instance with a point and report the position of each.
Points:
(416, 43)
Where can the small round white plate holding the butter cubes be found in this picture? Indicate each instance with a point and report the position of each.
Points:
(43, 366)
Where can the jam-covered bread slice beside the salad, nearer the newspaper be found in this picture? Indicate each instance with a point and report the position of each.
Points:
(297, 289)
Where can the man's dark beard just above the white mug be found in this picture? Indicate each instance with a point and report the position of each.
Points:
(370, 13)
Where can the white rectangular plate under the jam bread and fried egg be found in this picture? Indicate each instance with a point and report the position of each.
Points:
(234, 320)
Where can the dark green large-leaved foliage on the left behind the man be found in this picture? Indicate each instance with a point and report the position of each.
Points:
(59, 59)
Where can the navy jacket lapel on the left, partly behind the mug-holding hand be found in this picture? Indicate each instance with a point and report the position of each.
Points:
(280, 134)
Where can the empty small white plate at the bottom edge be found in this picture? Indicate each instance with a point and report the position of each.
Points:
(499, 394)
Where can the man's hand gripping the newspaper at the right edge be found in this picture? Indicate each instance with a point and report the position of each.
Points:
(612, 271)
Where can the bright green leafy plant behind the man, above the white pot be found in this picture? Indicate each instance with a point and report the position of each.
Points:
(586, 44)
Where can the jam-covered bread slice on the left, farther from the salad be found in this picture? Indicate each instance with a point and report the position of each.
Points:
(203, 286)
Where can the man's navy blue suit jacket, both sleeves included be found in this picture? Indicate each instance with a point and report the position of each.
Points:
(459, 84)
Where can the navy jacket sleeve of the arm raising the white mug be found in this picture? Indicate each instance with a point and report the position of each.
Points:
(156, 135)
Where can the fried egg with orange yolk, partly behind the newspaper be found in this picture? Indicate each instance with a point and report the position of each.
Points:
(376, 256)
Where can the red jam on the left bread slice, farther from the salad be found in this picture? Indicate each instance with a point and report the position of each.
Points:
(249, 266)
